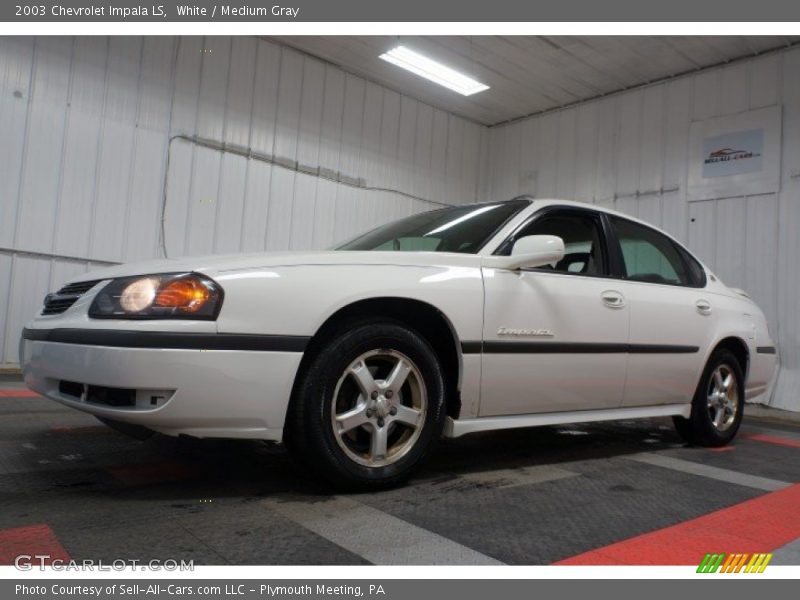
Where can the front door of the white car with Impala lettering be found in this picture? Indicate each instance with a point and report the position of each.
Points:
(555, 338)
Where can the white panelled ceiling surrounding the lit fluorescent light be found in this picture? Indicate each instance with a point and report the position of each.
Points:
(530, 74)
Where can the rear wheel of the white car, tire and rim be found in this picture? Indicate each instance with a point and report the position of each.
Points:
(718, 403)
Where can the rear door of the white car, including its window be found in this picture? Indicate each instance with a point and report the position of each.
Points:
(671, 315)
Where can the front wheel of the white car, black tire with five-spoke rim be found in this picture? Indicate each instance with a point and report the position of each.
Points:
(369, 407)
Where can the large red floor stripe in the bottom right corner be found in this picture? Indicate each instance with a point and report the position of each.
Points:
(759, 525)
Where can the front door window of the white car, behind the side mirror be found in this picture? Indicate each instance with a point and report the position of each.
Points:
(584, 254)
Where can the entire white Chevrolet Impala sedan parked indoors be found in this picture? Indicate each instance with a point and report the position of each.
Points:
(464, 319)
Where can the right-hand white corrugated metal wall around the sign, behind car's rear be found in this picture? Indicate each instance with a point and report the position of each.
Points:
(629, 151)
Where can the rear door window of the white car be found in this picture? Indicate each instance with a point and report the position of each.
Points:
(650, 256)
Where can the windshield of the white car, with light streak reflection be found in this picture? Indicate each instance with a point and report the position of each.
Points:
(458, 229)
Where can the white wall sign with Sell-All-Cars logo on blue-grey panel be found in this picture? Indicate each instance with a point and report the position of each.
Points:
(736, 155)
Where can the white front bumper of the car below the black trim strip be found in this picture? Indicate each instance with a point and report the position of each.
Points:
(197, 392)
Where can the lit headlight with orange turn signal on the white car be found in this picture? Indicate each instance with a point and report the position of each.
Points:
(165, 296)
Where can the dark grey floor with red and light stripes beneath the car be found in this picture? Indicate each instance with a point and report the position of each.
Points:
(615, 493)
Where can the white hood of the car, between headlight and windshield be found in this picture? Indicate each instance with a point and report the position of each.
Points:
(214, 264)
